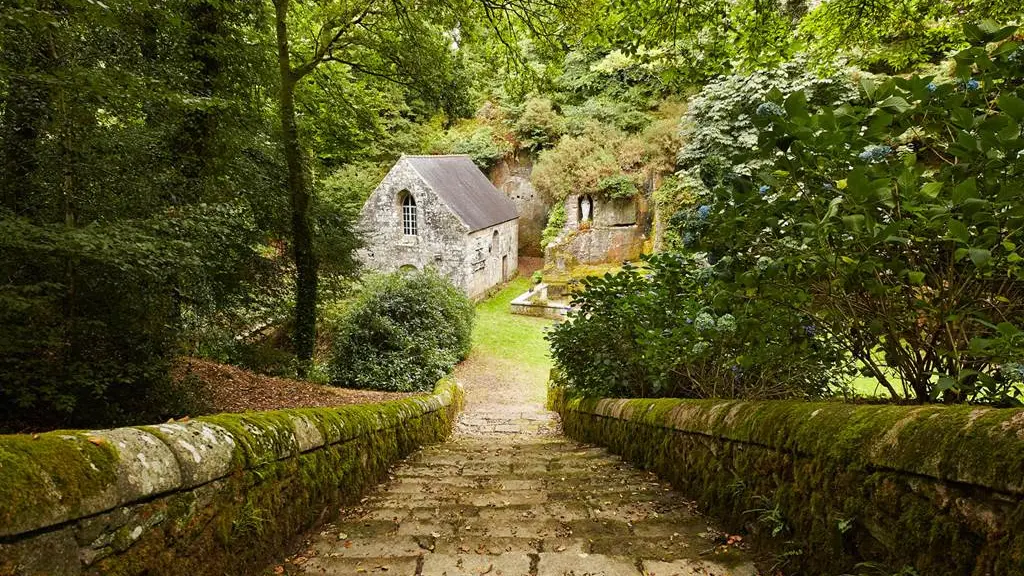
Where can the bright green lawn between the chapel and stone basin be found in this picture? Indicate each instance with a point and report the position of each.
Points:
(501, 335)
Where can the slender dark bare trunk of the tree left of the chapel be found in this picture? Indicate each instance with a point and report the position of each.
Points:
(300, 195)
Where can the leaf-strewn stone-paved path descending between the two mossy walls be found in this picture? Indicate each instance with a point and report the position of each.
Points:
(509, 497)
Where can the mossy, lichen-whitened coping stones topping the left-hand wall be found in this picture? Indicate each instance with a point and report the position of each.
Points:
(61, 477)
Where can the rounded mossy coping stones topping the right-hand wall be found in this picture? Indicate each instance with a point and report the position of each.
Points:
(971, 445)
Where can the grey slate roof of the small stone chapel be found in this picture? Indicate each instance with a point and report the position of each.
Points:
(466, 191)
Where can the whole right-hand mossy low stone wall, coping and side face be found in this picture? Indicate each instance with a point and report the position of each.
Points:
(831, 485)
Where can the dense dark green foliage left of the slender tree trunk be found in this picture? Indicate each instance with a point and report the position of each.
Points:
(132, 161)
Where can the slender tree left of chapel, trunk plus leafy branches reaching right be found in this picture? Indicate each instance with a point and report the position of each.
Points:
(410, 46)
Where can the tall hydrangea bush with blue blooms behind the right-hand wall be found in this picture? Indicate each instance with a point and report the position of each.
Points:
(893, 223)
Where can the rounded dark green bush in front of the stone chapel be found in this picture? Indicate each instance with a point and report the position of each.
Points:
(404, 333)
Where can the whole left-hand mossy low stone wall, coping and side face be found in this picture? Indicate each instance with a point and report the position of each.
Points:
(217, 496)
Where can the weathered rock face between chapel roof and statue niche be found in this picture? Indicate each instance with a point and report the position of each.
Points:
(511, 176)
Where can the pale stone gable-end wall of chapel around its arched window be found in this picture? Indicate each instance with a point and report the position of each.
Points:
(442, 239)
